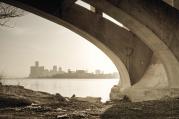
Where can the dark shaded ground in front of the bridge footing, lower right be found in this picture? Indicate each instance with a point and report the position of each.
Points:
(167, 108)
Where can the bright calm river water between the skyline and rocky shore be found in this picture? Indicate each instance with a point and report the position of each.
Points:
(68, 87)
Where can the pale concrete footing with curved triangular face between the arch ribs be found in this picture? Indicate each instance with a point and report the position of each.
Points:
(152, 86)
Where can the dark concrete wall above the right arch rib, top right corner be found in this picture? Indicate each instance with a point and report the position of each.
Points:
(159, 17)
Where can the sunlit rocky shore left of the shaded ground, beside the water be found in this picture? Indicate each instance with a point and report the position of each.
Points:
(16, 102)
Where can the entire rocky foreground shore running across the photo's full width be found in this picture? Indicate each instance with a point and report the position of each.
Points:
(16, 102)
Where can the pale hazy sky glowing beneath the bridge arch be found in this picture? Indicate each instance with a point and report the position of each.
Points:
(36, 39)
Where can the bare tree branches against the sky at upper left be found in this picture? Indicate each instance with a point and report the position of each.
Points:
(7, 12)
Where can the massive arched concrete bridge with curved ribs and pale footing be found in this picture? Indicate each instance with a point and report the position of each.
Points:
(144, 48)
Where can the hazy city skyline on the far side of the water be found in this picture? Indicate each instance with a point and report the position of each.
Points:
(39, 71)
